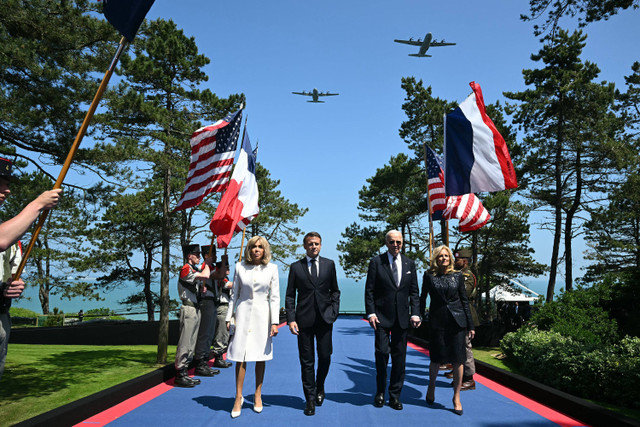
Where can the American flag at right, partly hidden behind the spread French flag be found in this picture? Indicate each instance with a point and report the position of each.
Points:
(467, 208)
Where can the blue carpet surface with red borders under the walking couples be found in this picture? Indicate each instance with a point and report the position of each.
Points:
(349, 394)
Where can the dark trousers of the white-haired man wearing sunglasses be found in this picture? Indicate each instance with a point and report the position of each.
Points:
(390, 341)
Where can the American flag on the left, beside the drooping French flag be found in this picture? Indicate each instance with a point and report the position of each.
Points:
(213, 148)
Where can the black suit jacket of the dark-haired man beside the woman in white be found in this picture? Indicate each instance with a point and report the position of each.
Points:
(324, 294)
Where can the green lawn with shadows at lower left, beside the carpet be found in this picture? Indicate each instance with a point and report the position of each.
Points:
(38, 378)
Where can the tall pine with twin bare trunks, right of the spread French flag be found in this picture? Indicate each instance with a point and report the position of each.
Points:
(570, 149)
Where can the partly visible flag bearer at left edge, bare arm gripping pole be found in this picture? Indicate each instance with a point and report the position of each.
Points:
(11, 252)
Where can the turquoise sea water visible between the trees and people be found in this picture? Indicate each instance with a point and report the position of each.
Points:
(351, 297)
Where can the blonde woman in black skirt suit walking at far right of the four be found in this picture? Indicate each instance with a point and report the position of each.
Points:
(449, 320)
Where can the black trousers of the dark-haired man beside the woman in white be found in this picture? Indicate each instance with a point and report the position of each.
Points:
(321, 333)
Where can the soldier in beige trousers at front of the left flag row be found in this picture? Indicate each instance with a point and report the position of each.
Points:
(190, 286)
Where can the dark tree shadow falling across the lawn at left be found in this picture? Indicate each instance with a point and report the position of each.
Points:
(53, 373)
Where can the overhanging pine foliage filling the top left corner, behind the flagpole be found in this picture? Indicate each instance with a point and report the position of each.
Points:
(52, 55)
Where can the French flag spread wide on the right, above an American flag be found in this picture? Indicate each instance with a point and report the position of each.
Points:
(475, 154)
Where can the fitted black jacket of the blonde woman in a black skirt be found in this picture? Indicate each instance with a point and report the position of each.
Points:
(448, 296)
